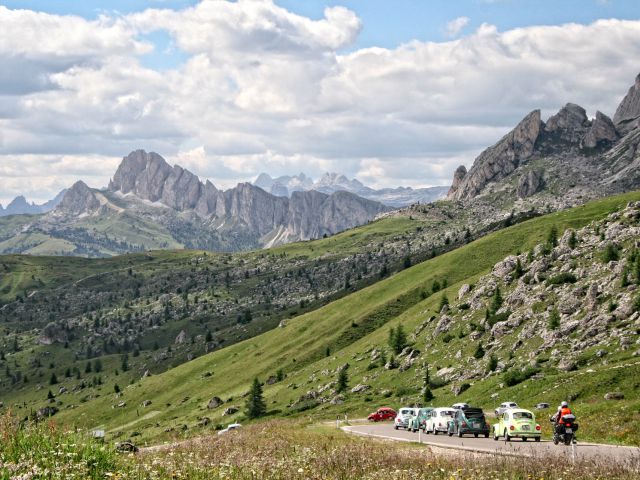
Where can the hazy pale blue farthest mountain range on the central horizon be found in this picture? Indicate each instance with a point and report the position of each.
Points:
(329, 183)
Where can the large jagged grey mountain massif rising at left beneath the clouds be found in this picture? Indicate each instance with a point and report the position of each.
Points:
(150, 204)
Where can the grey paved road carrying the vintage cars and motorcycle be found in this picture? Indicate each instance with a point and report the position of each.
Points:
(488, 445)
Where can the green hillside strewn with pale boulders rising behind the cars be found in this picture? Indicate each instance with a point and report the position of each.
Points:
(310, 348)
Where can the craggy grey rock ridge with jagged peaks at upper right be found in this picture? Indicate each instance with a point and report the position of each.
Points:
(574, 158)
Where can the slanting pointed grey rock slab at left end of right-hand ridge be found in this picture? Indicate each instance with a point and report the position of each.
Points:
(498, 161)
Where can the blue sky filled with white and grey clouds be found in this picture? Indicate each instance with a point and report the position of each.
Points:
(390, 92)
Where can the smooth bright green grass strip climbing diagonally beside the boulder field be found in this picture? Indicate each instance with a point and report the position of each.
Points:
(181, 394)
